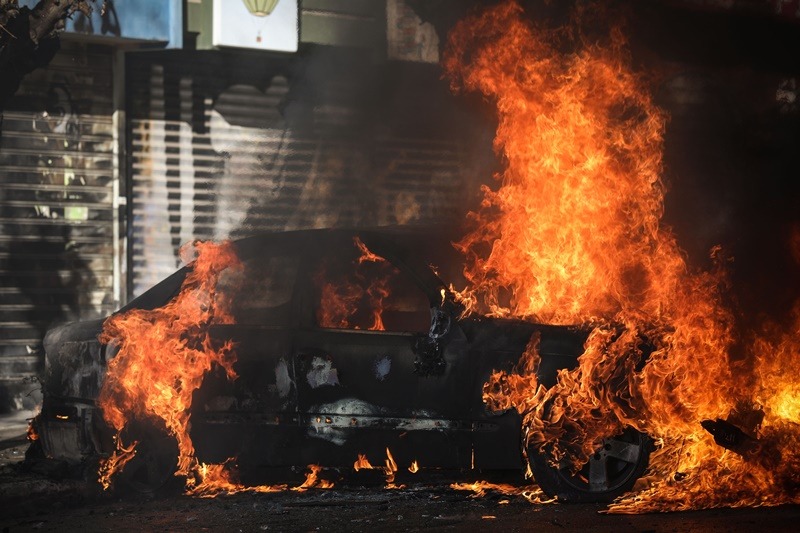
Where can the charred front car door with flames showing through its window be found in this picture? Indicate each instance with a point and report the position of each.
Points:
(355, 365)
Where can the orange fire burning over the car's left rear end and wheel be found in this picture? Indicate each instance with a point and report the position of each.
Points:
(164, 355)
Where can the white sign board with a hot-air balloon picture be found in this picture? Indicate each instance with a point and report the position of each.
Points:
(235, 25)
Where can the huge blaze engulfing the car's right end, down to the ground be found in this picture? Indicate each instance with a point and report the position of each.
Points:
(572, 234)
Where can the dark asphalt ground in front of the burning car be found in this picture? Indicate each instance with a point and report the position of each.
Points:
(35, 502)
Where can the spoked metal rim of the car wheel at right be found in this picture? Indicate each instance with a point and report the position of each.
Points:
(611, 466)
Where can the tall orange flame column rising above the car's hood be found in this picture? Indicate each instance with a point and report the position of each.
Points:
(582, 140)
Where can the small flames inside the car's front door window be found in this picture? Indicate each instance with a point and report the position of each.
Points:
(342, 299)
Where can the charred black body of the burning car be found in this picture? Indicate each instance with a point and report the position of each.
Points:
(311, 392)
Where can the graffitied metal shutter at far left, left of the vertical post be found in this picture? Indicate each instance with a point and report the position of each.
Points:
(56, 193)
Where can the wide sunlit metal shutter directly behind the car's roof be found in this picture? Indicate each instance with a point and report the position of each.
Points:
(228, 143)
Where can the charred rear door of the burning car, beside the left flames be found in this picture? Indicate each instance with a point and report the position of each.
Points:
(254, 416)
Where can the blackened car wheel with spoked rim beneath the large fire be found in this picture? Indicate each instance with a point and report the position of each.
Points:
(611, 471)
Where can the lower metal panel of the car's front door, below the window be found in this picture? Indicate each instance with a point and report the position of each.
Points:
(361, 395)
